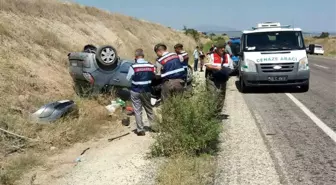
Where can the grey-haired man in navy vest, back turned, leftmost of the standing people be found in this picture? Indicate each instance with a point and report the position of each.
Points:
(141, 73)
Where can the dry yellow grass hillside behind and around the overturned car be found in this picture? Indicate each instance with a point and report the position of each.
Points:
(36, 36)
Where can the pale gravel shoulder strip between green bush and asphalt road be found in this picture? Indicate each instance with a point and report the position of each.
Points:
(244, 158)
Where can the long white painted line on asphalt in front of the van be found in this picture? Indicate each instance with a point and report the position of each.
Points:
(315, 119)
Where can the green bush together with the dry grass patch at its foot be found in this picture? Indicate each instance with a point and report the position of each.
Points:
(189, 136)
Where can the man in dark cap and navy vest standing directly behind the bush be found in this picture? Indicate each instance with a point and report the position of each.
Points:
(172, 71)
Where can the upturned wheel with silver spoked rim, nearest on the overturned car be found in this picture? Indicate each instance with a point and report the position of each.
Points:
(107, 57)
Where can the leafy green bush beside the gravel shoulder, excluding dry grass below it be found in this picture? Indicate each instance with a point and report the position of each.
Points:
(189, 125)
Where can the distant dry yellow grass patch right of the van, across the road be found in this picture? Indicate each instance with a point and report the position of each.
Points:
(329, 44)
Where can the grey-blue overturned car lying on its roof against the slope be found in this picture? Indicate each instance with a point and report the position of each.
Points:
(100, 70)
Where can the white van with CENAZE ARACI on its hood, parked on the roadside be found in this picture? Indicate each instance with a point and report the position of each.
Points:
(273, 55)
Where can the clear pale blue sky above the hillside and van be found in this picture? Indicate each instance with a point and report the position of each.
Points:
(310, 15)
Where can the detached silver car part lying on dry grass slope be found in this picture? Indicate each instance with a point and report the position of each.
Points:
(54, 111)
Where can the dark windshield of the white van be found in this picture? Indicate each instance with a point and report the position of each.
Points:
(274, 41)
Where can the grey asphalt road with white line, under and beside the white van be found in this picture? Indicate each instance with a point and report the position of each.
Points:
(299, 128)
